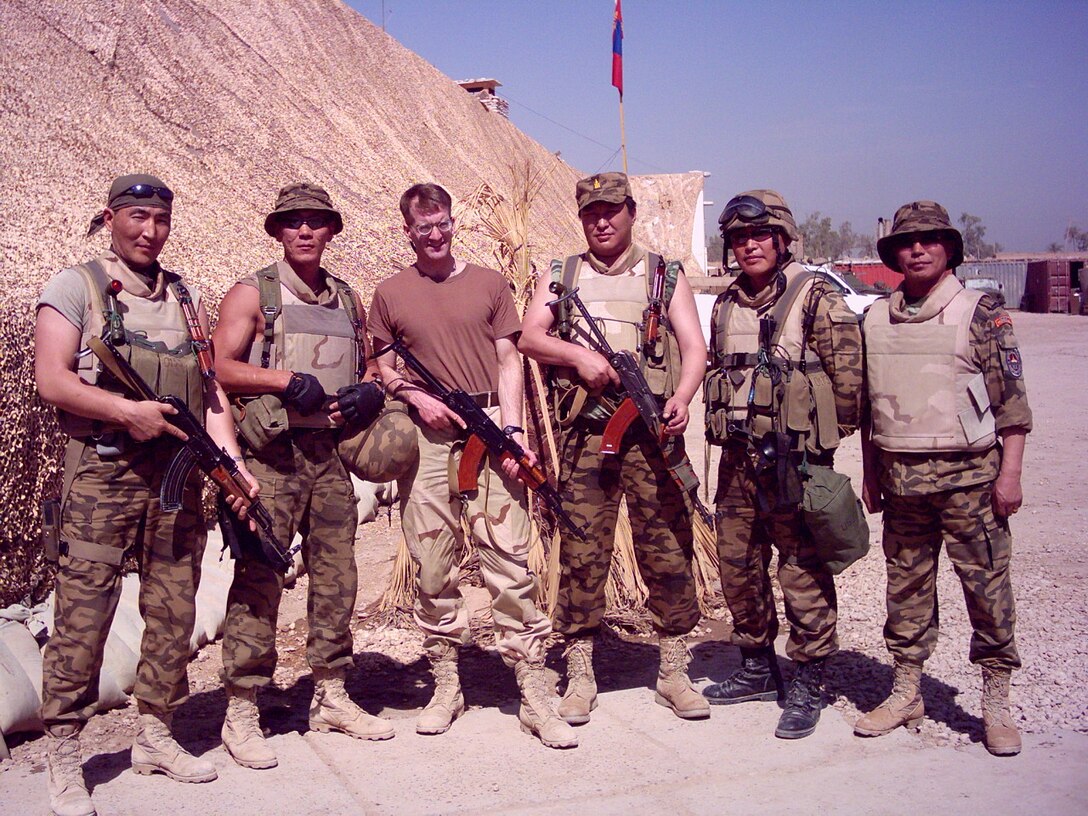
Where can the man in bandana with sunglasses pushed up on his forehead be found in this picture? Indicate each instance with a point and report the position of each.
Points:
(114, 469)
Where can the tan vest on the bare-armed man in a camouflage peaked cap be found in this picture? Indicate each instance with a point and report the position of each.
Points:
(623, 306)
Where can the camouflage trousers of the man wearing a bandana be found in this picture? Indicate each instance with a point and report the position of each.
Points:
(114, 506)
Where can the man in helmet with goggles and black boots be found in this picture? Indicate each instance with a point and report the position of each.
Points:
(784, 388)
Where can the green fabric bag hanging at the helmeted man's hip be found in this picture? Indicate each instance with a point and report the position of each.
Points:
(834, 516)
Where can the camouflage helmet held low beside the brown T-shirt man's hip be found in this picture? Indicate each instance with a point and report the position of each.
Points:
(384, 451)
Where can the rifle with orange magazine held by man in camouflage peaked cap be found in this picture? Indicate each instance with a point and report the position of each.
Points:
(638, 402)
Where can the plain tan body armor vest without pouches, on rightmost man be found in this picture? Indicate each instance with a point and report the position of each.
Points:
(926, 392)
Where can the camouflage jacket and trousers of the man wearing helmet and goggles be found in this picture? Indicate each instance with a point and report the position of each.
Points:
(746, 535)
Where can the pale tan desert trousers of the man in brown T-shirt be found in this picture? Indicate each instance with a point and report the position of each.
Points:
(499, 521)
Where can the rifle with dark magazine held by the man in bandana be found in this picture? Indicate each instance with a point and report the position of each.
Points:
(200, 451)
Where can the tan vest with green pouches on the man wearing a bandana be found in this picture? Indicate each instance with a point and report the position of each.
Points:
(158, 343)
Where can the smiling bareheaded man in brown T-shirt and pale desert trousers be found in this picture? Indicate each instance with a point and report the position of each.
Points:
(461, 323)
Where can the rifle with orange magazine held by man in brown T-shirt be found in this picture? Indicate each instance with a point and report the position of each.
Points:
(484, 437)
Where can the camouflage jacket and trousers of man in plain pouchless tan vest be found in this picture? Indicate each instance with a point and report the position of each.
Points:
(931, 499)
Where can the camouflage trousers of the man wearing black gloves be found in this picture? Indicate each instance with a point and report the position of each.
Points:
(308, 492)
